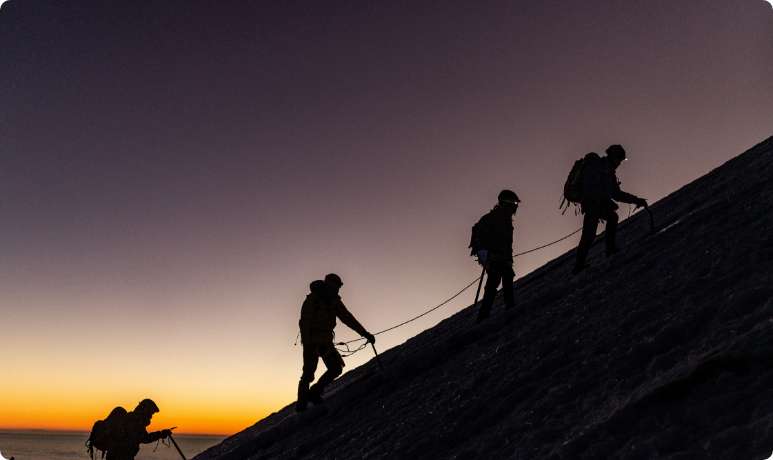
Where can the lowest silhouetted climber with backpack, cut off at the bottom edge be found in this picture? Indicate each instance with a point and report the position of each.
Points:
(121, 433)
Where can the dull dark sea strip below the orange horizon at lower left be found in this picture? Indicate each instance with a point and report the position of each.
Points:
(54, 445)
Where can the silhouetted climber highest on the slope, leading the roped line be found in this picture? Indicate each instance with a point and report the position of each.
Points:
(600, 188)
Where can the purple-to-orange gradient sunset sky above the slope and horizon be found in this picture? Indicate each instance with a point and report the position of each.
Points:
(173, 174)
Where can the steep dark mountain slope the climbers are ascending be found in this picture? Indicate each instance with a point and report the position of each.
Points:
(663, 351)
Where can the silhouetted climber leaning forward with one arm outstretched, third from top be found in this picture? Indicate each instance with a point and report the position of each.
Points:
(318, 319)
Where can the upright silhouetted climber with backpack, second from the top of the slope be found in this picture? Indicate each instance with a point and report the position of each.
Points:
(492, 242)
